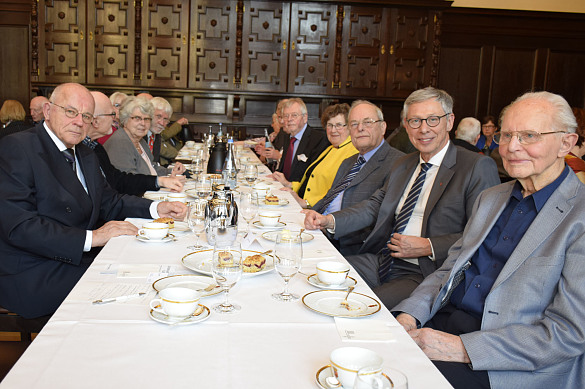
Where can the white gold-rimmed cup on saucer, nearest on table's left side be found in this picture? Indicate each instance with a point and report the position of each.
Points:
(175, 301)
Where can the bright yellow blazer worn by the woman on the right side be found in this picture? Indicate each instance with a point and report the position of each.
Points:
(323, 171)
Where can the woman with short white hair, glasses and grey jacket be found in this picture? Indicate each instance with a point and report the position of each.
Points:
(127, 149)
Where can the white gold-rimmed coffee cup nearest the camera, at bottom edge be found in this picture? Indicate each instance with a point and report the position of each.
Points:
(347, 361)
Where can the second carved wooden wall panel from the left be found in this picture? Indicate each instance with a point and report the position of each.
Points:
(110, 55)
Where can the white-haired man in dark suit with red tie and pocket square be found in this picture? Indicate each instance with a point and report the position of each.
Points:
(304, 145)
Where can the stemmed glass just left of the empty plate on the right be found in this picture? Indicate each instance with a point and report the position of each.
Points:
(288, 254)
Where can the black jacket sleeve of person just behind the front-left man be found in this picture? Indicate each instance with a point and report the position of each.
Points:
(128, 183)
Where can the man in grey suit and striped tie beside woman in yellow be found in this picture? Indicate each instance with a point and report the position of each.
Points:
(354, 183)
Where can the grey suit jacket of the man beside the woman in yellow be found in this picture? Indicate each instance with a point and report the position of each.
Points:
(371, 177)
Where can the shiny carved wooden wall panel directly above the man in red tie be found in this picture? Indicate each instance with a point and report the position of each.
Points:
(311, 48)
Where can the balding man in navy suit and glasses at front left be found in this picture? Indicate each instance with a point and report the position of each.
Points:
(53, 199)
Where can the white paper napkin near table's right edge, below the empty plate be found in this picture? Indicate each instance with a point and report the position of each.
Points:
(363, 330)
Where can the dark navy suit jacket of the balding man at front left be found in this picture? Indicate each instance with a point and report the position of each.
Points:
(45, 216)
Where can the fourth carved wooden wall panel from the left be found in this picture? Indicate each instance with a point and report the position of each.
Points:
(213, 44)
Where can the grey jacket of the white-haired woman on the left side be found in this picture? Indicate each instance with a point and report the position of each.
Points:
(124, 156)
